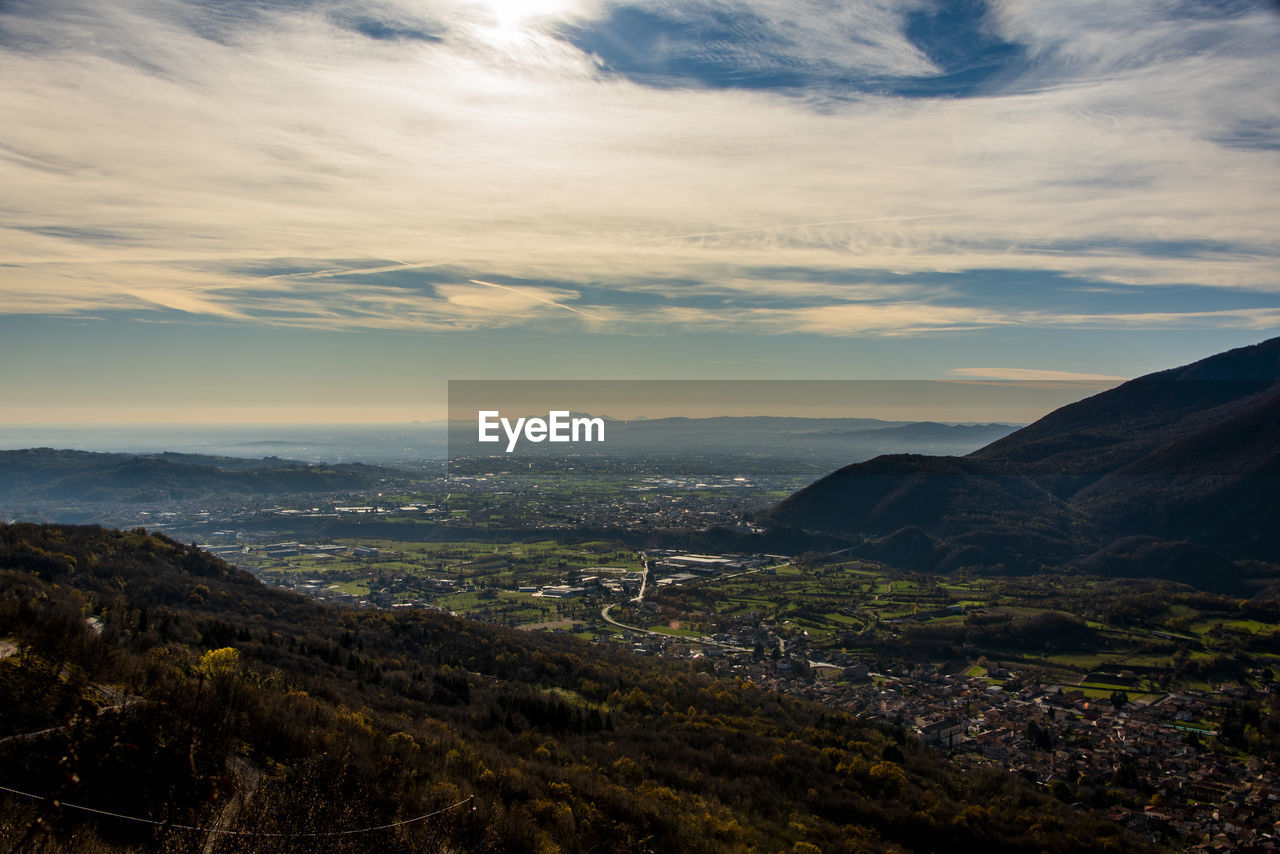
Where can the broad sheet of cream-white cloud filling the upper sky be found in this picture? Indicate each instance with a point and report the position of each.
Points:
(207, 141)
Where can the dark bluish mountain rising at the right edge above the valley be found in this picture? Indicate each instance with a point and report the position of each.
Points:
(1172, 474)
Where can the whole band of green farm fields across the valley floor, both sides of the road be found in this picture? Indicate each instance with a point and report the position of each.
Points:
(1100, 636)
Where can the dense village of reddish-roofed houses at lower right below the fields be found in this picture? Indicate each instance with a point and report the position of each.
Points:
(1160, 756)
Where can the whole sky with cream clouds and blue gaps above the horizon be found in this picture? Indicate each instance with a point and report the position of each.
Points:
(322, 212)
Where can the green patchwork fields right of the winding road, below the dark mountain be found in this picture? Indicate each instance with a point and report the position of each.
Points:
(1103, 636)
